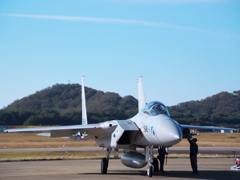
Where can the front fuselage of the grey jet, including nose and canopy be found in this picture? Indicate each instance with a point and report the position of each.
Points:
(156, 126)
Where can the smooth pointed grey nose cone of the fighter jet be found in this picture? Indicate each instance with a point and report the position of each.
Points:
(169, 132)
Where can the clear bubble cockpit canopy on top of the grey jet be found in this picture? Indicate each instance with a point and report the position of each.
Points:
(155, 108)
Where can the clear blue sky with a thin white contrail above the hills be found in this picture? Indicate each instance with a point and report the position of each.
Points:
(185, 49)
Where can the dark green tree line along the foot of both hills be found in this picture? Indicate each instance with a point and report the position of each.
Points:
(52, 117)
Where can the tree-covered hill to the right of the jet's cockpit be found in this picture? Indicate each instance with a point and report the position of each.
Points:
(220, 109)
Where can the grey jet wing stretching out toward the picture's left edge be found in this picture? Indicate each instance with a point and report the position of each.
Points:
(90, 130)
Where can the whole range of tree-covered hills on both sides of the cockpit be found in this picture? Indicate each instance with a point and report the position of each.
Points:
(61, 105)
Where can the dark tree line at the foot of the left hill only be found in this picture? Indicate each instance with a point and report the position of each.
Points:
(52, 117)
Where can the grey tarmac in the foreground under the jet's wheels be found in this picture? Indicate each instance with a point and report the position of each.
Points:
(176, 168)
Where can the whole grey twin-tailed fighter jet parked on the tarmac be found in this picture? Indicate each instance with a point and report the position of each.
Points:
(152, 127)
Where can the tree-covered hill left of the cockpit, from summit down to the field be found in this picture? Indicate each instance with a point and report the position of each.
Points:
(61, 105)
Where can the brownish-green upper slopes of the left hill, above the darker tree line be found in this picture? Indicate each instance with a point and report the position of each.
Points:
(67, 98)
